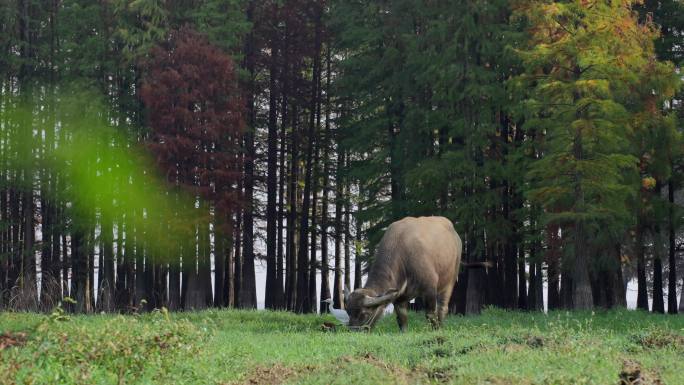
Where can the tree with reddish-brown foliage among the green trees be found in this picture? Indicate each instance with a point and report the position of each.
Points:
(190, 90)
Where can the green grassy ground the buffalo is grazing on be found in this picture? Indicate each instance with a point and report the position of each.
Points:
(244, 347)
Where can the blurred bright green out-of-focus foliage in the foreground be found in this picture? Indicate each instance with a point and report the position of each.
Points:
(103, 172)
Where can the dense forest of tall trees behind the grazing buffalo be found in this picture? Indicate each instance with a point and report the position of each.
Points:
(152, 151)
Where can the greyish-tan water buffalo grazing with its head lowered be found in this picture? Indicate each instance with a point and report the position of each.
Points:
(416, 257)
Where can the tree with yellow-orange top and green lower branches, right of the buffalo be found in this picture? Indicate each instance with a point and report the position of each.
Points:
(585, 60)
